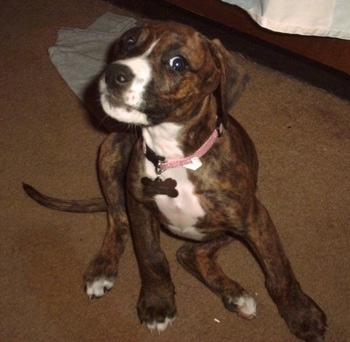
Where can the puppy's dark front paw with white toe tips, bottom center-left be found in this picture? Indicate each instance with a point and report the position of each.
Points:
(157, 309)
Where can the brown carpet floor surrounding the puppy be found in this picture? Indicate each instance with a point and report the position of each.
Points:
(303, 138)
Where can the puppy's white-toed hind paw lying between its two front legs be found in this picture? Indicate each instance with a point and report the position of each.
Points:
(244, 305)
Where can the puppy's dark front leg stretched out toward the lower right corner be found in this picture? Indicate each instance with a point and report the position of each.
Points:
(303, 316)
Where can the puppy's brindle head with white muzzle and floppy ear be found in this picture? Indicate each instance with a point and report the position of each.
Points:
(162, 71)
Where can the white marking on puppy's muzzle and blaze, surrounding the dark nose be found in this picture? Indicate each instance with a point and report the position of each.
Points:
(132, 101)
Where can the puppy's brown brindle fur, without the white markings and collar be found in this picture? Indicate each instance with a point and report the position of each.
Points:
(226, 186)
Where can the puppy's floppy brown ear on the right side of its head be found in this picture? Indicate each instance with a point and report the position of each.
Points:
(232, 80)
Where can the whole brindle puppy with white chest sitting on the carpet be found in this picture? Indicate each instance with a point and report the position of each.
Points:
(193, 171)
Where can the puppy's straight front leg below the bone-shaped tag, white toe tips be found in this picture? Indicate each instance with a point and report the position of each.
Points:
(156, 305)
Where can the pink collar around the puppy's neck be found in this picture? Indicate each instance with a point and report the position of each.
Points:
(161, 164)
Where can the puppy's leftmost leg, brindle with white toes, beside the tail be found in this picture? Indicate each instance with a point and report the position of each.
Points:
(112, 165)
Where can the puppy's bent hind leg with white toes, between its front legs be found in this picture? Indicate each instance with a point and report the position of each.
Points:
(200, 259)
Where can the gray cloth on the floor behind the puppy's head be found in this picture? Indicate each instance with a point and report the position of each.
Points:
(80, 55)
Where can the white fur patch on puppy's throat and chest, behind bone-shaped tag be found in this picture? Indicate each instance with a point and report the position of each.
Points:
(184, 210)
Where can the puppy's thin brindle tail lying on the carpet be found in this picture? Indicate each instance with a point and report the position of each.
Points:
(91, 205)
